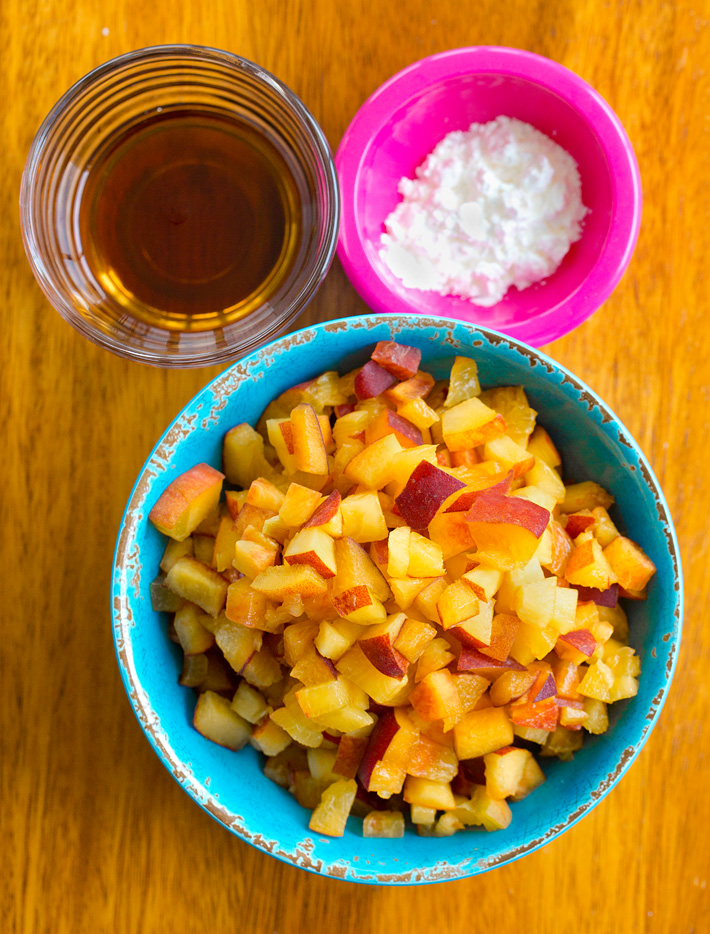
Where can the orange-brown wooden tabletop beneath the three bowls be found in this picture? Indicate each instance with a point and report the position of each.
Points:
(96, 836)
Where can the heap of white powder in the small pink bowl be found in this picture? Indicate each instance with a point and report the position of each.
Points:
(495, 206)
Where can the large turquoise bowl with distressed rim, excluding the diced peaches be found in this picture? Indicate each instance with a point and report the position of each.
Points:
(231, 786)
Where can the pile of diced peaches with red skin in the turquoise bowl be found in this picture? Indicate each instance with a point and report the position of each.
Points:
(396, 598)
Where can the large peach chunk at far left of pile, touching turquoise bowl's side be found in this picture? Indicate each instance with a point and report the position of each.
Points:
(187, 501)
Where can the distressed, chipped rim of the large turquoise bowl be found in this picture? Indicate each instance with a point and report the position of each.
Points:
(312, 852)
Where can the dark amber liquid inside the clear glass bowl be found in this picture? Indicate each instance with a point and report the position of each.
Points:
(189, 221)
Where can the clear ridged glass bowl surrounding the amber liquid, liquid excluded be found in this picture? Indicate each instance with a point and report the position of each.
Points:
(81, 130)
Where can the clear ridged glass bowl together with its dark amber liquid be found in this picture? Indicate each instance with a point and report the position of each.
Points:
(179, 206)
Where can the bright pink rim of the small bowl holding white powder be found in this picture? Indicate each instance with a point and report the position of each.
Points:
(376, 113)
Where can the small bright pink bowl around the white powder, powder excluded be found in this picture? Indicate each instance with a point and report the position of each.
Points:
(405, 118)
